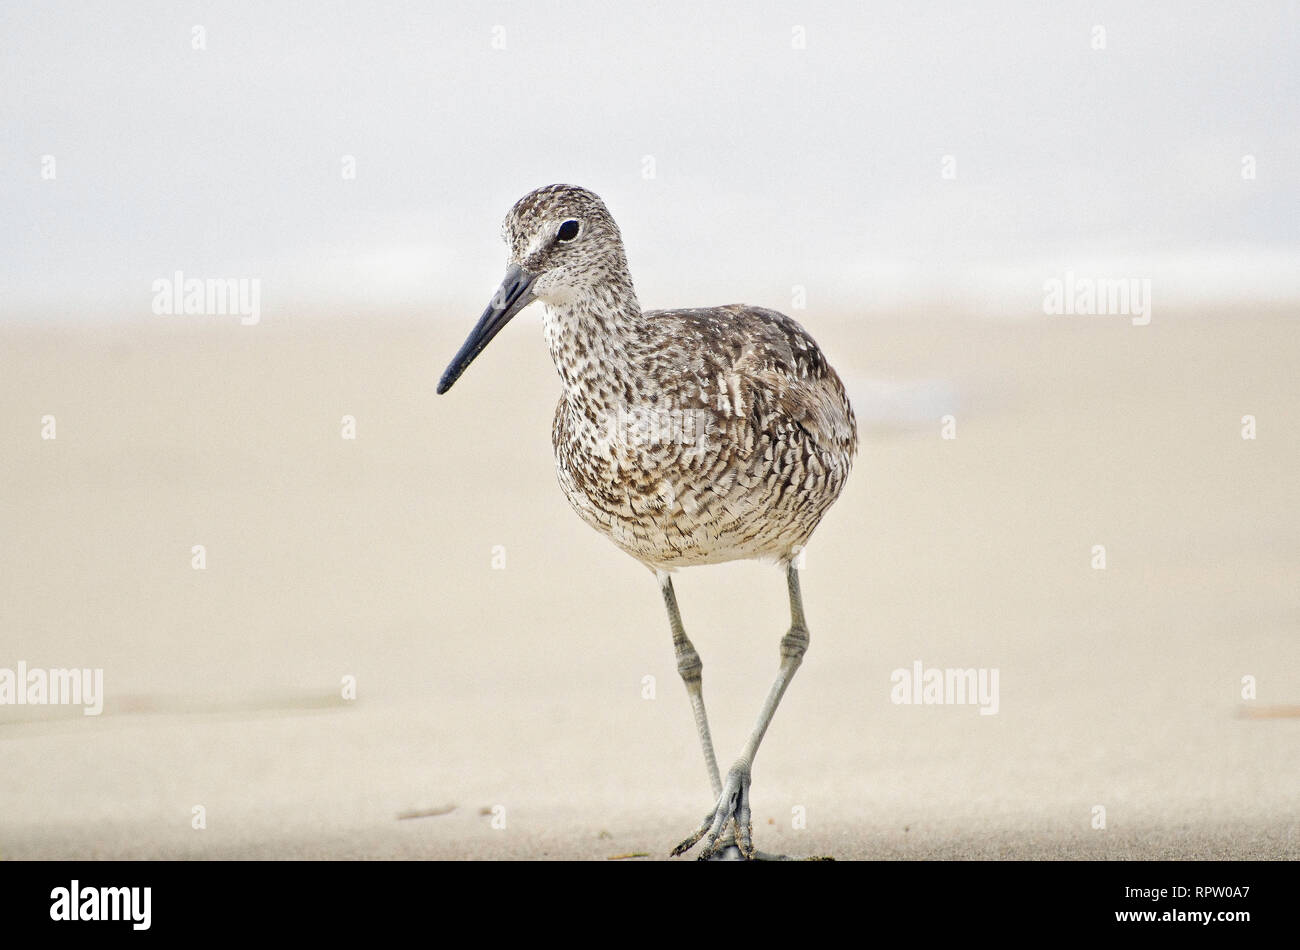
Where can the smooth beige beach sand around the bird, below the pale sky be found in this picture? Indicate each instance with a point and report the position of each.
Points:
(514, 701)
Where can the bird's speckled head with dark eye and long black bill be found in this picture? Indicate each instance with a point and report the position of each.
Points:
(564, 244)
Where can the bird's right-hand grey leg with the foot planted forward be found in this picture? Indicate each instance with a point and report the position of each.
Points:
(734, 801)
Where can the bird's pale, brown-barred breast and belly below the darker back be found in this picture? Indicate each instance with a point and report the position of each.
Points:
(692, 484)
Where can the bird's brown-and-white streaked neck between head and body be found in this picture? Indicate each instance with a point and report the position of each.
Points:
(595, 336)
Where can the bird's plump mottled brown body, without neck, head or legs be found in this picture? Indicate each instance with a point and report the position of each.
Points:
(731, 439)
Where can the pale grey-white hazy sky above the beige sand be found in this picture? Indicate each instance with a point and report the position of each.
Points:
(774, 166)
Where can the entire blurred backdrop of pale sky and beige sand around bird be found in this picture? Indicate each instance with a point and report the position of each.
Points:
(905, 181)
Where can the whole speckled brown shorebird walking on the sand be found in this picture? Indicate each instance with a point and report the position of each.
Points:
(687, 437)
